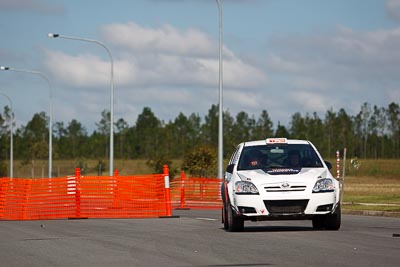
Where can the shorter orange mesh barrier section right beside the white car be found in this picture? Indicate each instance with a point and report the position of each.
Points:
(196, 193)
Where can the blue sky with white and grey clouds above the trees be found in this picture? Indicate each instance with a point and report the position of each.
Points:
(284, 56)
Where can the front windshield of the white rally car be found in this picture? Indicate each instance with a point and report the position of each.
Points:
(285, 156)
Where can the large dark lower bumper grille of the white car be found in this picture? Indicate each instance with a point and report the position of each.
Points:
(286, 206)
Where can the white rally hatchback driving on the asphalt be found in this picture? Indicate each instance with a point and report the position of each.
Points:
(279, 179)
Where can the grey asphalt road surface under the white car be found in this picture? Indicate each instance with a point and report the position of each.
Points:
(196, 238)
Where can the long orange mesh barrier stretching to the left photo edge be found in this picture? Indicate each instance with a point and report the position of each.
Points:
(84, 197)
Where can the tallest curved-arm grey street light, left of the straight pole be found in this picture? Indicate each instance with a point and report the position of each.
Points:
(56, 35)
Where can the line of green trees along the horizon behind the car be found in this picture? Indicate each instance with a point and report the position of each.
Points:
(372, 133)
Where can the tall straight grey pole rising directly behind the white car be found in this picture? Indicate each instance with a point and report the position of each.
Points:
(220, 112)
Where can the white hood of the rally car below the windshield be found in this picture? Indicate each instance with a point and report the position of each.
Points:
(304, 175)
